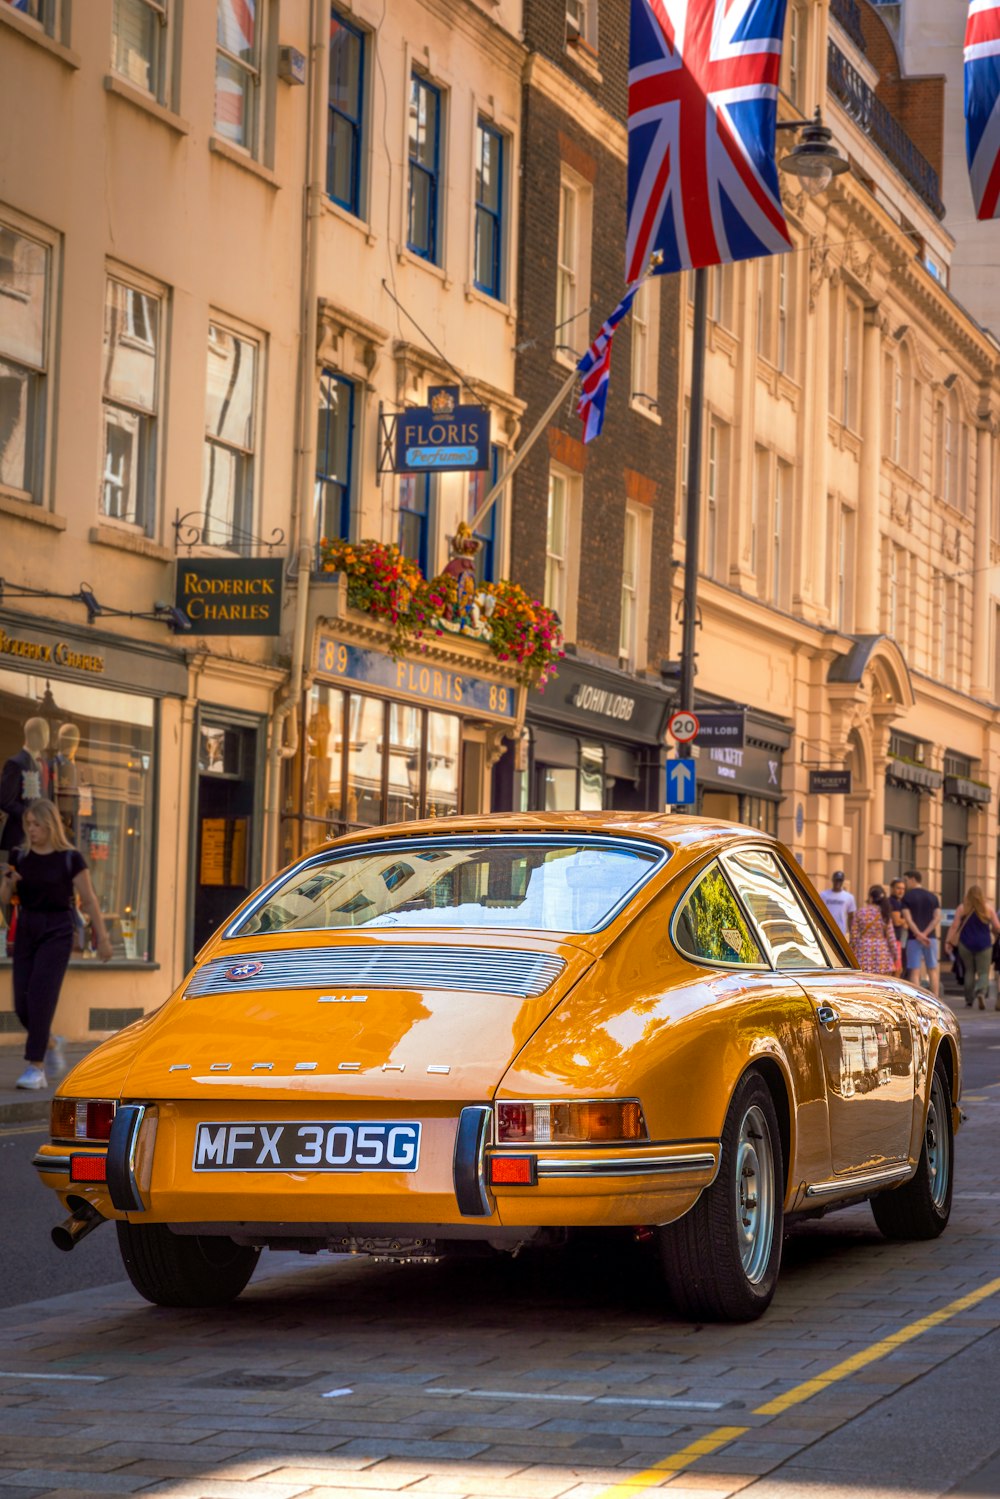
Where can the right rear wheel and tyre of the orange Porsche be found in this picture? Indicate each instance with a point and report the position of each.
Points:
(722, 1264)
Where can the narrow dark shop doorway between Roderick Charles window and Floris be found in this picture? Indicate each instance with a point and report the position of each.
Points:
(227, 834)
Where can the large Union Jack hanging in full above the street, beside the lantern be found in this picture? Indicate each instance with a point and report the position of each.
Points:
(702, 103)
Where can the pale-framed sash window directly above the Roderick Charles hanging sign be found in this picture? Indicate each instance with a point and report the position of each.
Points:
(230, 438)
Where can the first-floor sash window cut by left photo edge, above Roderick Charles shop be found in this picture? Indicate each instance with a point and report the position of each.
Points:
(25, 314)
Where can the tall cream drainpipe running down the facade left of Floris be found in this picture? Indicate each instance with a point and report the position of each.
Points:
(287, 711)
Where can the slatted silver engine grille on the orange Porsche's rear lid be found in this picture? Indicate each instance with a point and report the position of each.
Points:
(491, 971)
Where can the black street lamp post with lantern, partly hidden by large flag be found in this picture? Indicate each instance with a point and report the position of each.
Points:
(815, 161)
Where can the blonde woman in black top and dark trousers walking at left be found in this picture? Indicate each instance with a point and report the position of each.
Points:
(46, 876)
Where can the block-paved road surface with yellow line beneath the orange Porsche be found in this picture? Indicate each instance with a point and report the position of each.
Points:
(539, 1378)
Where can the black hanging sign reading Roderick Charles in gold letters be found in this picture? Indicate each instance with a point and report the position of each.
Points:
(232, 597)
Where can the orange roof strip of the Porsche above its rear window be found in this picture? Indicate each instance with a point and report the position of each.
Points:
(674, 831)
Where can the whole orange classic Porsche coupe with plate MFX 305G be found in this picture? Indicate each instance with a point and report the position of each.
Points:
(506, 1031)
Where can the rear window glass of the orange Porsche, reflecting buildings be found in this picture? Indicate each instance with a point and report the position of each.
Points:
(548, 885)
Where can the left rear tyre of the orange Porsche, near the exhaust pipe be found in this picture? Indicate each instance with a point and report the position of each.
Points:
(179, 1270)
